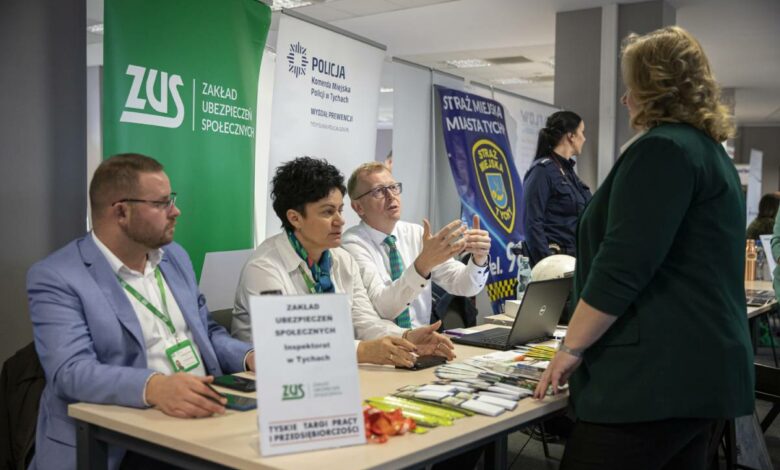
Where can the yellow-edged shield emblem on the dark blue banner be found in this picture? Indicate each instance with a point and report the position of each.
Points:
(495, 182)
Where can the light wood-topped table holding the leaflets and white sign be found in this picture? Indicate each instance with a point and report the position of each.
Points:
(232, 440)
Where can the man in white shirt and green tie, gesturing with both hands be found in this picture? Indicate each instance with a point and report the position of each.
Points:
(398, 260)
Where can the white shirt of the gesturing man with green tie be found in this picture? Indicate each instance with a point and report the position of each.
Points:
(411, 290)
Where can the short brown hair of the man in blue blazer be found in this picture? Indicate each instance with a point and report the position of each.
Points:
(117, 177)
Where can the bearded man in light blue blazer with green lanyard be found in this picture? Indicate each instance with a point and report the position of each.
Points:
(118, 318)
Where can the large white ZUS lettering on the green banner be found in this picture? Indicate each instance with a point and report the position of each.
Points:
(159, 104)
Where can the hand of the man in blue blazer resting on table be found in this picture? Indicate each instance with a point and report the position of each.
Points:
(184, 395)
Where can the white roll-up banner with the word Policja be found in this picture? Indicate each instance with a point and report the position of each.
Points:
(326, 92)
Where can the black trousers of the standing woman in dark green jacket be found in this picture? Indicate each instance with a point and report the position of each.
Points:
(669, 445)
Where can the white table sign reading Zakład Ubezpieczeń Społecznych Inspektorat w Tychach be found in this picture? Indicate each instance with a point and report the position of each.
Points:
(307, 378)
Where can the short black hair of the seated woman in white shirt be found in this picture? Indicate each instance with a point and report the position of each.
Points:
(300, 182)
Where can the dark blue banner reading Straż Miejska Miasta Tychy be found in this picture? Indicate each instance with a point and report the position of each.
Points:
(485, 176)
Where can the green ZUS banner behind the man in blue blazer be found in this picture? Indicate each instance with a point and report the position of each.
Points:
(180, 85)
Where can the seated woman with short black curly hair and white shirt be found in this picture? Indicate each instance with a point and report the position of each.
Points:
(306, 258)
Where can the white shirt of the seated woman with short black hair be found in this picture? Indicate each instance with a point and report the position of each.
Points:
(274, 266)
